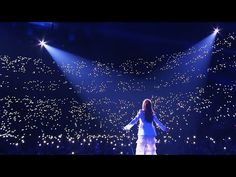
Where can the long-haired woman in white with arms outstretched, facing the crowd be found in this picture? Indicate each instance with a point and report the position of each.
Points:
(146, 143)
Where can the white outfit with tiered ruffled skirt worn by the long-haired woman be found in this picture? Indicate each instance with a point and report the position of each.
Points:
(146, 143)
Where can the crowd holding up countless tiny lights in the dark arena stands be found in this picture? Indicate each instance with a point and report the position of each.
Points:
(42, 112)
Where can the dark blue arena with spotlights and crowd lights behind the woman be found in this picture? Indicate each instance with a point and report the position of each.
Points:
(70, 88)
